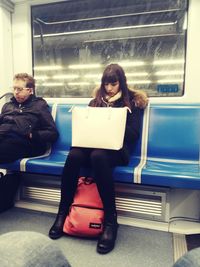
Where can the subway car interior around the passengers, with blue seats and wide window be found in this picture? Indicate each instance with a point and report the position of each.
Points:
(65, 45)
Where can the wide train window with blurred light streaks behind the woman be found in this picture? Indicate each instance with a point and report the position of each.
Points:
(74, 40)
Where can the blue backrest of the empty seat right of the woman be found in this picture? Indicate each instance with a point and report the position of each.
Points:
(174, 132)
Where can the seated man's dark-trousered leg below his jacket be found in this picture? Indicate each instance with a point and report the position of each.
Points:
(12, 149)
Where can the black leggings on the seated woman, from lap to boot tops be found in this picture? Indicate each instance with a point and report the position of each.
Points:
(102, 162)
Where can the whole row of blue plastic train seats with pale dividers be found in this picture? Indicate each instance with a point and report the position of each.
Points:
(166, 154)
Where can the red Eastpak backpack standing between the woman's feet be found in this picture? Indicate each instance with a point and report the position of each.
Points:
(86, 213)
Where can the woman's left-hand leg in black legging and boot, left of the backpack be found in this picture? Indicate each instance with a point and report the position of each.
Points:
(76, 159)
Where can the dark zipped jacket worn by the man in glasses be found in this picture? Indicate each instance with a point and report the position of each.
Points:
(32, 116)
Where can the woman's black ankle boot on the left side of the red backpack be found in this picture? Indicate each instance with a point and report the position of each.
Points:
(56, 230)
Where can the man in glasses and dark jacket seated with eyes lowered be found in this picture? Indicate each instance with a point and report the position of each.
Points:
(26, 124)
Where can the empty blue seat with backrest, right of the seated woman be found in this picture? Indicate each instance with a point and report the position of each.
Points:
(173, 147)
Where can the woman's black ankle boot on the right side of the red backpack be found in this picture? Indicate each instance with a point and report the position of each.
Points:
(107, 239)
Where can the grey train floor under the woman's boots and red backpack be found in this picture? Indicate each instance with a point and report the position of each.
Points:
(135, 247)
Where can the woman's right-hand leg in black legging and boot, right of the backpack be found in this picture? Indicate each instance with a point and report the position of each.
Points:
(102, 162)
